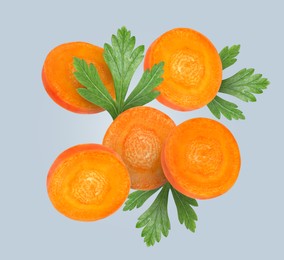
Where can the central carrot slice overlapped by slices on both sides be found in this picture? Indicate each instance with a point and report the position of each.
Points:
(137, 135)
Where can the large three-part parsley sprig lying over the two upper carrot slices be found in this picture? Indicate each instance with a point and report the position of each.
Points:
(123, 60)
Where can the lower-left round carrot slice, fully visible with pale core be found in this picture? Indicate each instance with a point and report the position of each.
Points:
(88, 182)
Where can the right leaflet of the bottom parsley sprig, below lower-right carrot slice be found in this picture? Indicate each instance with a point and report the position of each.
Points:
(186, 214)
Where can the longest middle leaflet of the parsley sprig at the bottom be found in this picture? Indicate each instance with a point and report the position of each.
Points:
(155, 220)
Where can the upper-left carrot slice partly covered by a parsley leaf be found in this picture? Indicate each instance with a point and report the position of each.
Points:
(61, 84)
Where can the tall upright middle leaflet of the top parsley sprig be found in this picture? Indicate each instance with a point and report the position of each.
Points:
(122, 60)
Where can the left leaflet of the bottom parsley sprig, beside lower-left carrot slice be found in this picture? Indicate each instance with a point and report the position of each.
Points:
(137, 198)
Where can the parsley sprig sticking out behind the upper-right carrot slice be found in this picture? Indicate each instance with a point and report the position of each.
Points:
(242, 85)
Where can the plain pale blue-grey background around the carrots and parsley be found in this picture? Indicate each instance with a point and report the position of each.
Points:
(246, 223)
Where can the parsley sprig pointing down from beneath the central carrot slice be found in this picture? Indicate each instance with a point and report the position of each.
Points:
(155, 220)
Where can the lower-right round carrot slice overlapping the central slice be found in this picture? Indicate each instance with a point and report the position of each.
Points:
(201, 158)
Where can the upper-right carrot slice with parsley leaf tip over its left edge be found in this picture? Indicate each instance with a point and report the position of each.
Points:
(192, 71)
